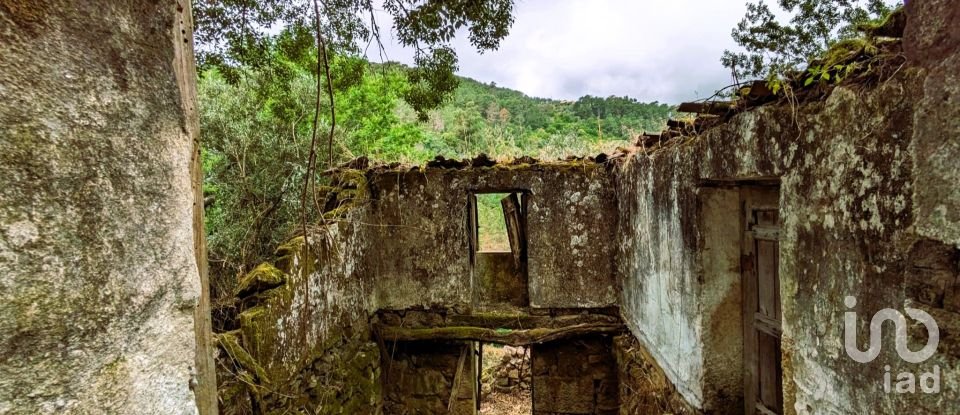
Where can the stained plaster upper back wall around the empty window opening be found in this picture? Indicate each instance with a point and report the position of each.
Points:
(421, 257)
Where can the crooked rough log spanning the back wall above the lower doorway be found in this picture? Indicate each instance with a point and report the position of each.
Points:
(501, 336)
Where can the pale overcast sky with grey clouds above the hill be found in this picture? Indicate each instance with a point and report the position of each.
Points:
(652, 50)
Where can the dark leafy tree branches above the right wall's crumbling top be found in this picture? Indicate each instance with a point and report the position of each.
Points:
(773, 48)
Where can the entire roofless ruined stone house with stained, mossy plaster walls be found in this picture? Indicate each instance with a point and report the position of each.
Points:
(711, 273)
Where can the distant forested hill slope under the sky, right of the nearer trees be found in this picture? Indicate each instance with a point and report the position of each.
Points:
(503, 122)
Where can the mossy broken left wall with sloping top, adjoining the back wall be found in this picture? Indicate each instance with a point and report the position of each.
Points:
(304, 343)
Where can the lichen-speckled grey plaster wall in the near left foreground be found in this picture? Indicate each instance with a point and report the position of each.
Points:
(98, 280)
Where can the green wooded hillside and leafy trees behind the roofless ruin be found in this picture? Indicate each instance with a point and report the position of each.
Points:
(257, 127)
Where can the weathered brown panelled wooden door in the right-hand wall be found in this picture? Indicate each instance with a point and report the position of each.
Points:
(761, 301)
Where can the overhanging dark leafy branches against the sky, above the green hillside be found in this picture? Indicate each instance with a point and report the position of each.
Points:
(235, 33)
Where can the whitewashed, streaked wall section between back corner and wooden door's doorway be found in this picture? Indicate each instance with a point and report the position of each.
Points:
(660, 296)
